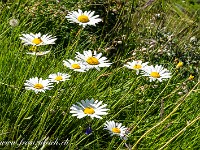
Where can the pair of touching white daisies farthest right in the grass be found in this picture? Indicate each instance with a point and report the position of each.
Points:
(154, 73)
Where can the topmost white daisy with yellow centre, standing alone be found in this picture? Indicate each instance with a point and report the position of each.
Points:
(83, 18)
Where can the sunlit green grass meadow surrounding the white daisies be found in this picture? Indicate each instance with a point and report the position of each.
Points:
(157, 115)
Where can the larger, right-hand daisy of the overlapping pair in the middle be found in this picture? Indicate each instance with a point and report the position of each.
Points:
(93, 60)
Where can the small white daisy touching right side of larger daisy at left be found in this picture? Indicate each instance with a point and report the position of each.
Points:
(58, 77)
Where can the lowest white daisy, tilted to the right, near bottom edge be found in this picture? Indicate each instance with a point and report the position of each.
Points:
(115, 128)
